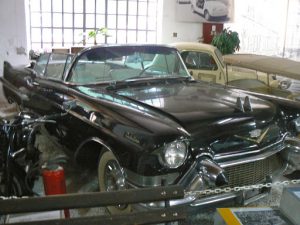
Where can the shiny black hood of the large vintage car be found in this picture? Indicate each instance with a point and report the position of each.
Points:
(199, 106)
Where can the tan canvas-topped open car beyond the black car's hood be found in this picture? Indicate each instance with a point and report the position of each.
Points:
(263, 74)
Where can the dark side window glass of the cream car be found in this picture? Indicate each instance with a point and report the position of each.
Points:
(199, 60)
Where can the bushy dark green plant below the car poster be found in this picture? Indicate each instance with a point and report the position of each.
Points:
(227, 41)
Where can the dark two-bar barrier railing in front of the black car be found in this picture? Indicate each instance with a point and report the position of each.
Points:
(101, 199)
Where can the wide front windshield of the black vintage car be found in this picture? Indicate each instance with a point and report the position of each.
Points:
(122, 63)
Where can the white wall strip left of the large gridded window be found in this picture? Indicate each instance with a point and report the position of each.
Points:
(13, 41)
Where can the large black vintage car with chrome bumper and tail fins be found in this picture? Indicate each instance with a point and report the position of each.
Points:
(140, 120)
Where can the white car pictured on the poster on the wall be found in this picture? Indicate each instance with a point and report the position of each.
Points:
(210, 8)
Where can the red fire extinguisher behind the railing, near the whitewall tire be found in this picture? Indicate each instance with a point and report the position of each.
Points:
(54, 182)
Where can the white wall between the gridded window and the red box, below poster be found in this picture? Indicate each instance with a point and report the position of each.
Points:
(186, 31)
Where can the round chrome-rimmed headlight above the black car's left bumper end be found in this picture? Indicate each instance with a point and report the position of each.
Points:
(175, 154)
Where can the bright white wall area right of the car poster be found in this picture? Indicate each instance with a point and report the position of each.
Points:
(261, 25)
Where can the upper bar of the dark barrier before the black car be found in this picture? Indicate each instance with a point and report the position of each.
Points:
(84, 200)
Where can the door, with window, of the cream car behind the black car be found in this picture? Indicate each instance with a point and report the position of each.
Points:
(203, 66)
